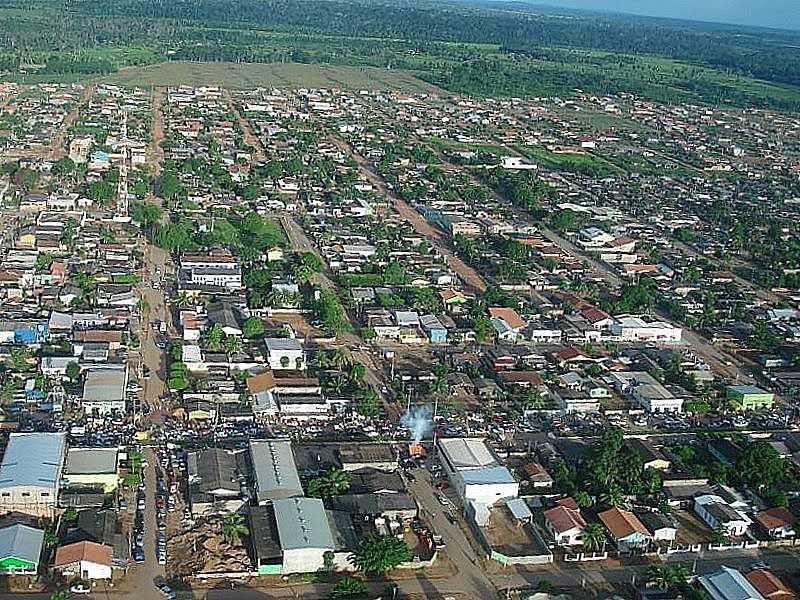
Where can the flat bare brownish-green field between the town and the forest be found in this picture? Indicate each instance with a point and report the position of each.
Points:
(280, 75)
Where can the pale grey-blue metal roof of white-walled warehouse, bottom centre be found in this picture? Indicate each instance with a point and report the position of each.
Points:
(302, 523)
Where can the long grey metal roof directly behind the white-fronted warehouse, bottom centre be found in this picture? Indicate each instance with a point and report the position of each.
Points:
(275, 471)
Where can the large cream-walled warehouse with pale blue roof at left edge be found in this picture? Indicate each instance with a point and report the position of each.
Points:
(30, 473)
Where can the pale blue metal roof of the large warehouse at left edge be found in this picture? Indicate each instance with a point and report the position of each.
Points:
(33, 459)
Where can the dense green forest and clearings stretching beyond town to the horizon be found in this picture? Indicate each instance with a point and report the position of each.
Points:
(474, 48)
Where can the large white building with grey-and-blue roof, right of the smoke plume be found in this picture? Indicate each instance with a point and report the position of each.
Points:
(475, 472)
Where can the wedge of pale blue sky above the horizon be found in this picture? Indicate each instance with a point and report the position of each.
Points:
(784, 14)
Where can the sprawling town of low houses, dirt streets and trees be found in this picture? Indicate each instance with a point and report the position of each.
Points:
(319, 343)
